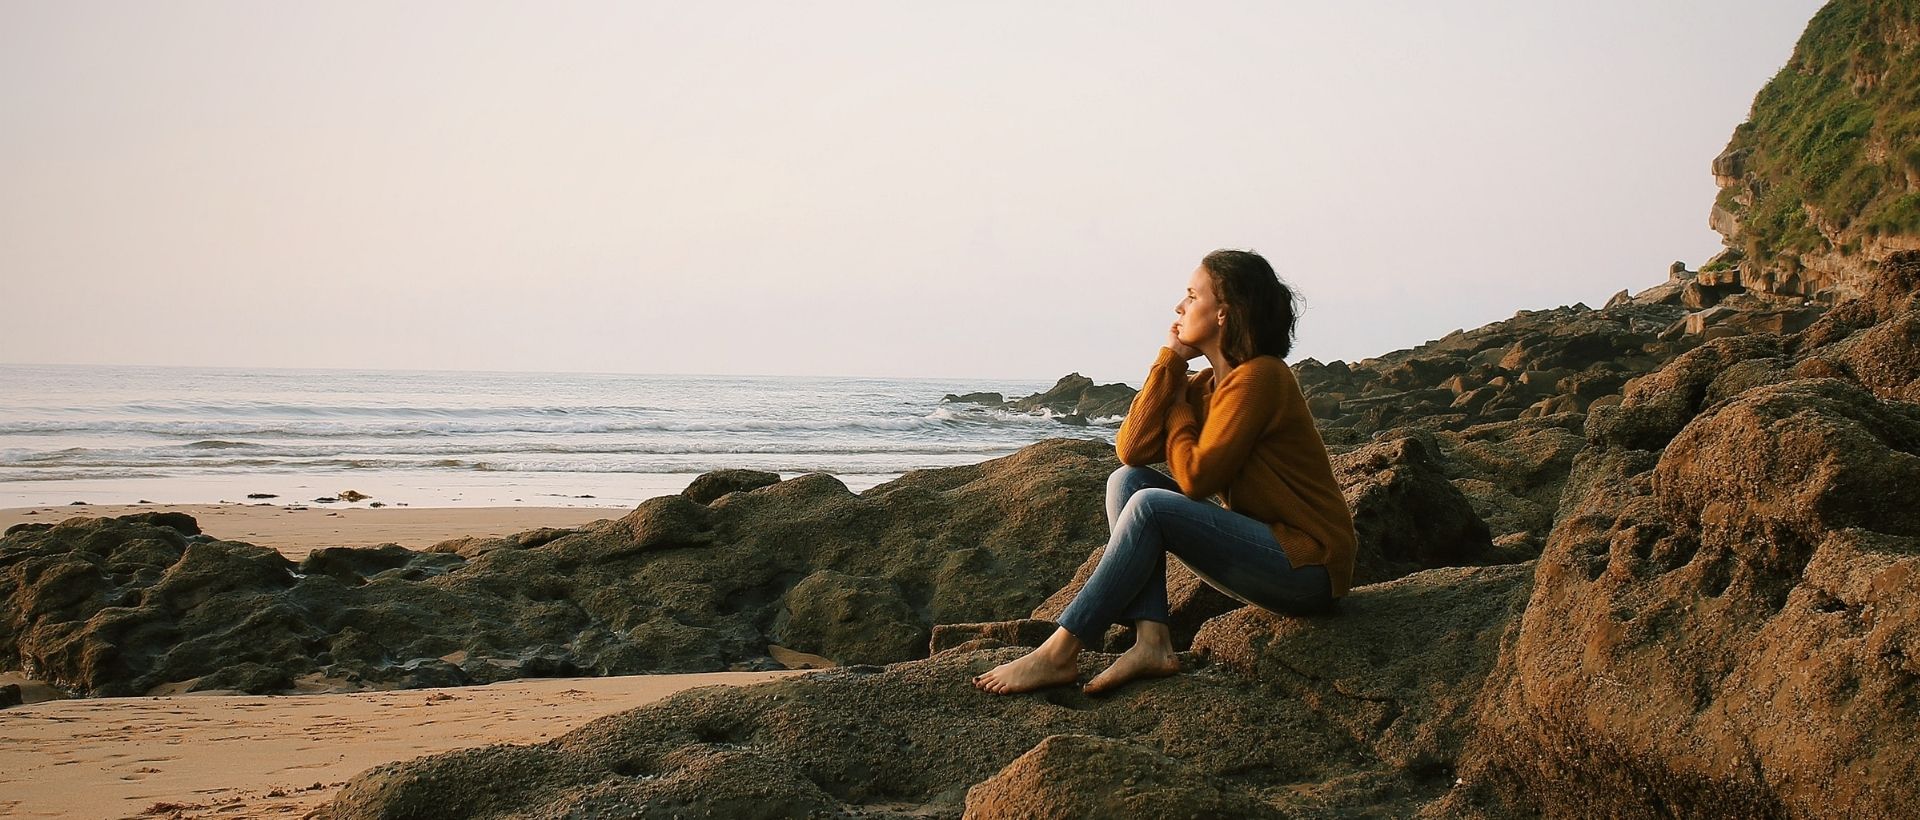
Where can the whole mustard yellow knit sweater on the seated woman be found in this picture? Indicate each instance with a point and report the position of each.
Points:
(1249, 439)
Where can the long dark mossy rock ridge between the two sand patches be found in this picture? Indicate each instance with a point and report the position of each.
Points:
(122, 606)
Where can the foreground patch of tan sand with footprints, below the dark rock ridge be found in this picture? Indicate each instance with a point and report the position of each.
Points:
(243, 756)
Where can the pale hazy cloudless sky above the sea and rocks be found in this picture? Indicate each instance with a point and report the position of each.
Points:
(878, 189)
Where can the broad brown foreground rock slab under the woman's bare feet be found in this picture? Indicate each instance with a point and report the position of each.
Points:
(1358, 713)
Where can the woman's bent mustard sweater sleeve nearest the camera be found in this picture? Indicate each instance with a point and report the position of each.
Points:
(1205, 462)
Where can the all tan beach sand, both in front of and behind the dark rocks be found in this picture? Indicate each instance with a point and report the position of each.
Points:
(245, 756)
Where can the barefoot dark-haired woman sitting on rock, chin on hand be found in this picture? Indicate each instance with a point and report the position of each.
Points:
(1239, 429)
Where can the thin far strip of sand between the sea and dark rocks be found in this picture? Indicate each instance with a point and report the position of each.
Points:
(300, 529)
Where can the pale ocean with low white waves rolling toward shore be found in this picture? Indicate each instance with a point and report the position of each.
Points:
(443, 439)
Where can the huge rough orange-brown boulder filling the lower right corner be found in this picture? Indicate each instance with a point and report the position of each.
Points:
(1727, 627)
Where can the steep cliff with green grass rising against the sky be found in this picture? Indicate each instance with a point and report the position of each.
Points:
(1823, 180)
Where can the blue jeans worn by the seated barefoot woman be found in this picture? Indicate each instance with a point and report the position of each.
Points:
(1149, 518)
